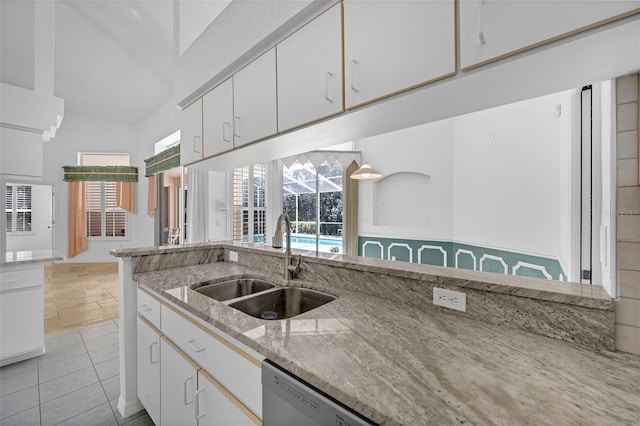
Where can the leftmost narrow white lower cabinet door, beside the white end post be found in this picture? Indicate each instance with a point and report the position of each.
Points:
(149, 369)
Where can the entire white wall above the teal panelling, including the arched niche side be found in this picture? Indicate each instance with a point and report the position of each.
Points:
(499, 178)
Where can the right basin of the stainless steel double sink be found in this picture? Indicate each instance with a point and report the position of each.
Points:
(282, 303)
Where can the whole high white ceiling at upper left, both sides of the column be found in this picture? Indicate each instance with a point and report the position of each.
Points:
(114, 59)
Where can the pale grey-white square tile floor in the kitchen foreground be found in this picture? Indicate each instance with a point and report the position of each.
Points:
(76, 382)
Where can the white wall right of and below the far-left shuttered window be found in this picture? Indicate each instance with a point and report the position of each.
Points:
(40, 237)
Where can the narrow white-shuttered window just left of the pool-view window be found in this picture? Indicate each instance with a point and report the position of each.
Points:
(249, 204)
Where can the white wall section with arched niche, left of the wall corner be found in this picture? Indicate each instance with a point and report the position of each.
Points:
(426, 150)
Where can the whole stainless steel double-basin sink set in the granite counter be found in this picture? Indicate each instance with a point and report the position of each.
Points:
(262, 299)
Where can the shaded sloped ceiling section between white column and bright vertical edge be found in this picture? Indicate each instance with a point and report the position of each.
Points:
(114, 59)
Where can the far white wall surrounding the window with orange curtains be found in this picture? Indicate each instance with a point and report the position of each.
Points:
(82, 133)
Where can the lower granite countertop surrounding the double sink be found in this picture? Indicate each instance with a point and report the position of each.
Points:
(398, 364)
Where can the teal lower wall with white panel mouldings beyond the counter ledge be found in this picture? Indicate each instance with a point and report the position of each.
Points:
(462, 256)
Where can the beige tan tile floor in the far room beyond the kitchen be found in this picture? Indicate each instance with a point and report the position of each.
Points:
(79, 294)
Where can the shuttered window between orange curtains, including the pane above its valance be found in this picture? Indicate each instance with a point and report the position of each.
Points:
(104, 217)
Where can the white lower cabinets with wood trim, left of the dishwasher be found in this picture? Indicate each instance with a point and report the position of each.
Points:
(189, 374)
